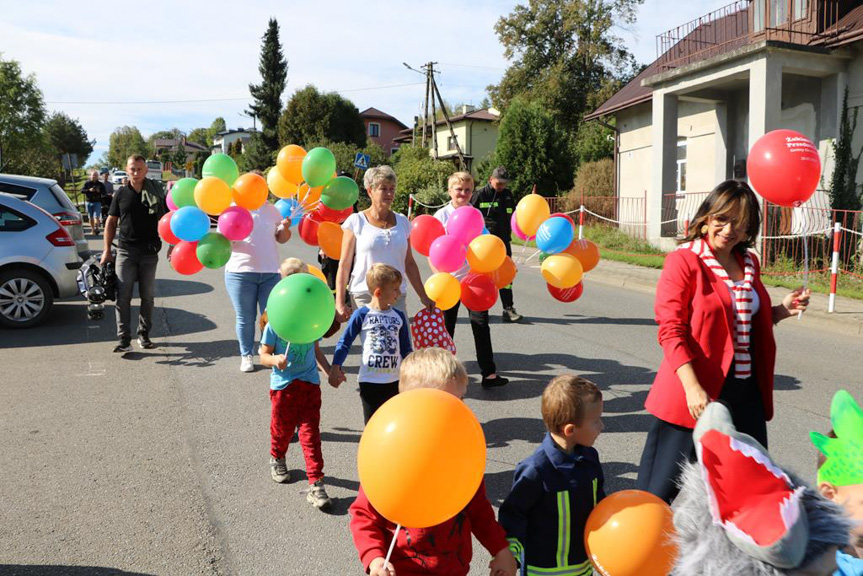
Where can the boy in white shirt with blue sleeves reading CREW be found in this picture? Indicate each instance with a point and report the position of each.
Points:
(383, 330)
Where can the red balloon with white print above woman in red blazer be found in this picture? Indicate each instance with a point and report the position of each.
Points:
(784, 167)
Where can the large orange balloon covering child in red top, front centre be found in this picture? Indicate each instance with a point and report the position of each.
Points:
(421, 458)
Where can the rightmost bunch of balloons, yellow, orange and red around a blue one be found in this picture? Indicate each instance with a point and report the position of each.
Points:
(566, 257)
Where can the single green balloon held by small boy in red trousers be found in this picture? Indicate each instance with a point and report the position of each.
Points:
(301, 308)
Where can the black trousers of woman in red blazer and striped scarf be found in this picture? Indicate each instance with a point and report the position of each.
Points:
(668, 446)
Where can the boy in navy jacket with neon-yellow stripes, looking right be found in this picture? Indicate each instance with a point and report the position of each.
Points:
(556, 488)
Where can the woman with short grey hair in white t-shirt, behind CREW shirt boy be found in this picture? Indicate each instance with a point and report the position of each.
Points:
(376, 236)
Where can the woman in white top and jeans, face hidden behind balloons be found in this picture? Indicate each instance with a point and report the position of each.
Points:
(252, 272)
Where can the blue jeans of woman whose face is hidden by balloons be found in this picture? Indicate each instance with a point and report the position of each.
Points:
(249, 292)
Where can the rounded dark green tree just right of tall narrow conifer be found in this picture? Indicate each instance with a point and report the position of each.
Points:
(311, 116)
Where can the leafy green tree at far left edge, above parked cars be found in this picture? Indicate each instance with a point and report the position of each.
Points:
(22, 116)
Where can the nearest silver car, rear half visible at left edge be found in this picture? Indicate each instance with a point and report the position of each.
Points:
(38, 263)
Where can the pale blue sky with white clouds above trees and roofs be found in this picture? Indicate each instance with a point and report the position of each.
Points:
(163, 64)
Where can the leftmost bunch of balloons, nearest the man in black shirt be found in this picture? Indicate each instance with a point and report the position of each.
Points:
(220, 192)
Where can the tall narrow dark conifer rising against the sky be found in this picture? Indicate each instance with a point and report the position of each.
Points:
(267, 95)
